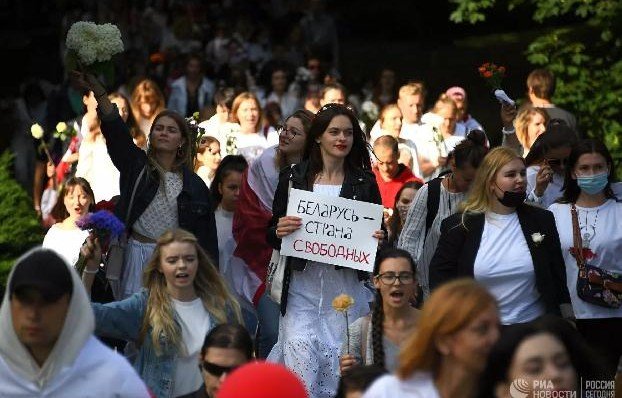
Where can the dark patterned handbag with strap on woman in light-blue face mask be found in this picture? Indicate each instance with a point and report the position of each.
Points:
(595, 285)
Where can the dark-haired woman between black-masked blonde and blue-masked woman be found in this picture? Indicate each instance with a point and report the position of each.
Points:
(546, 163)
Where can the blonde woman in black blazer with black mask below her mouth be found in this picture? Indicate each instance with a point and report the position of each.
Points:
(508, 246)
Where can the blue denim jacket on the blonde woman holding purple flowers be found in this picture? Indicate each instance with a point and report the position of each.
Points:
(123, 320)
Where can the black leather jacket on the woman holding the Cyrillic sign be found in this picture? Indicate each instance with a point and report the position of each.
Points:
(357, 185)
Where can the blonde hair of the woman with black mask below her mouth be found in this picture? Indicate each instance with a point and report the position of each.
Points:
(479, 199)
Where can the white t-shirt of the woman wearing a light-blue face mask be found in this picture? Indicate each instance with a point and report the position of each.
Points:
(601, 230)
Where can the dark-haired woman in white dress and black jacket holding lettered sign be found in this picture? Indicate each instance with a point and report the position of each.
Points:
(335, 163)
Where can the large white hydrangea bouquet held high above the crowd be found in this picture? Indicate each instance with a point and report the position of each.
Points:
(91, 46)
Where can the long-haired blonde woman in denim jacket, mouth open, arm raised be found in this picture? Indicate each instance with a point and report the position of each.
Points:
(184, 298)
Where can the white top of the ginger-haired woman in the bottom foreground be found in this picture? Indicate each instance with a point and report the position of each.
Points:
(419, 385)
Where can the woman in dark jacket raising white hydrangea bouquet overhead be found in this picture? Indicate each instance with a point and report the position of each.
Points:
(159, 189)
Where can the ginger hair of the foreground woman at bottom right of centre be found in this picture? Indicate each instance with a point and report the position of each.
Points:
(448, 310)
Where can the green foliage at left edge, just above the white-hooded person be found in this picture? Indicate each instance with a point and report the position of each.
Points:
(20, 229)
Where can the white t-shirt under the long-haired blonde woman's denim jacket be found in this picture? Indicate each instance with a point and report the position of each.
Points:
(195, 323)
